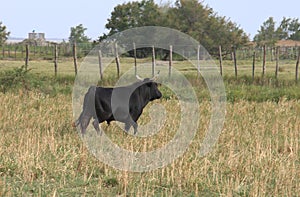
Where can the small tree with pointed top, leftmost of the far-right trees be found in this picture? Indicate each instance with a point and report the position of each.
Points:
(267, 35)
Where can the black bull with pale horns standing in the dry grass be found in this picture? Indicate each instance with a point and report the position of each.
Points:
(124, 104)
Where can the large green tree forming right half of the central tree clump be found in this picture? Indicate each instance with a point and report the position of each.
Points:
(201, 23)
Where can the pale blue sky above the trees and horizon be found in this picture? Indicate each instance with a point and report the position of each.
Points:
(56, 17)
